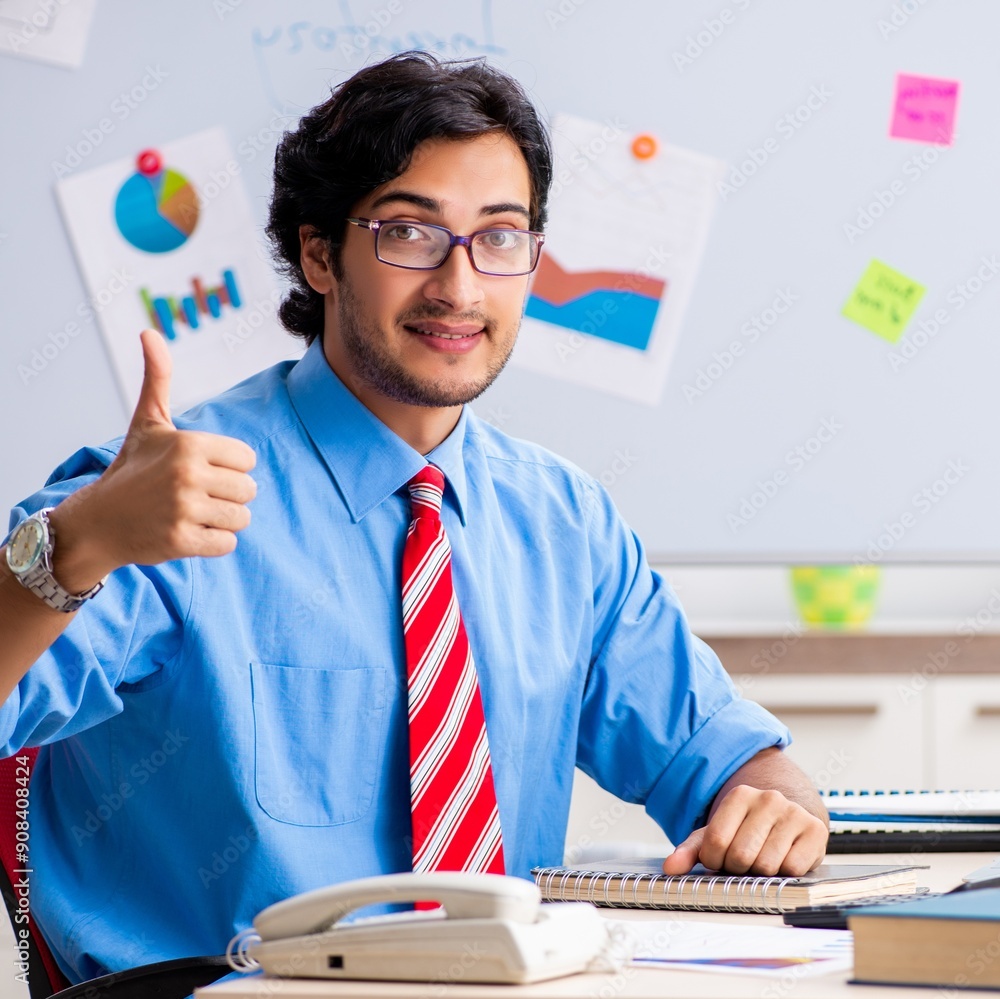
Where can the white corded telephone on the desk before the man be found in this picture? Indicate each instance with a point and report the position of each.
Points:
(490, 928)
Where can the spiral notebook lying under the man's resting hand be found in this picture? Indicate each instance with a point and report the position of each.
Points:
(641, 884)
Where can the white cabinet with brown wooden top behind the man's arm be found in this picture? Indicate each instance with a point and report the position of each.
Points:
(865, 711)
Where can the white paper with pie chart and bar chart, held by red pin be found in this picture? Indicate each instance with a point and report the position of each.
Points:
(166, 239)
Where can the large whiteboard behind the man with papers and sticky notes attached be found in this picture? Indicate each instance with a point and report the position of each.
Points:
(819, 435)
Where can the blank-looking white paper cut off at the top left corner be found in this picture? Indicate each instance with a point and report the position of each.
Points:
(46, 30)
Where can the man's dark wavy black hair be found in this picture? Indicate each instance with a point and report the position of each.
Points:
(365, 135)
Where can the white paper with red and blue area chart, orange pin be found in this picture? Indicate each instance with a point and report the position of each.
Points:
(628, 222)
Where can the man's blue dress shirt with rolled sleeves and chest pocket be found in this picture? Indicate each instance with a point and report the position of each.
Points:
(222, 733)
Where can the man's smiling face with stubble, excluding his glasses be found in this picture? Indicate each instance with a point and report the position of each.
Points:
(432, 338)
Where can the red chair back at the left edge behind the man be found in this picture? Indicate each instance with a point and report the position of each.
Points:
(37, 966)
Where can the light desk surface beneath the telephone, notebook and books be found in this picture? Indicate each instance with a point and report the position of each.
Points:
(945, 872)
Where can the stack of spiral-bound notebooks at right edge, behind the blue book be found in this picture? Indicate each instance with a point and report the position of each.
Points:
(894, 821)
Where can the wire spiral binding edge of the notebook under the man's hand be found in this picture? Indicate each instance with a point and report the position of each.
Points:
(723, 893)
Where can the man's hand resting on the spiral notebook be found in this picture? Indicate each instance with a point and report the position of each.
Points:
(759, 830)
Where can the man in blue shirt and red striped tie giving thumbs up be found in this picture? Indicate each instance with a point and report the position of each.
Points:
(225, 724)
